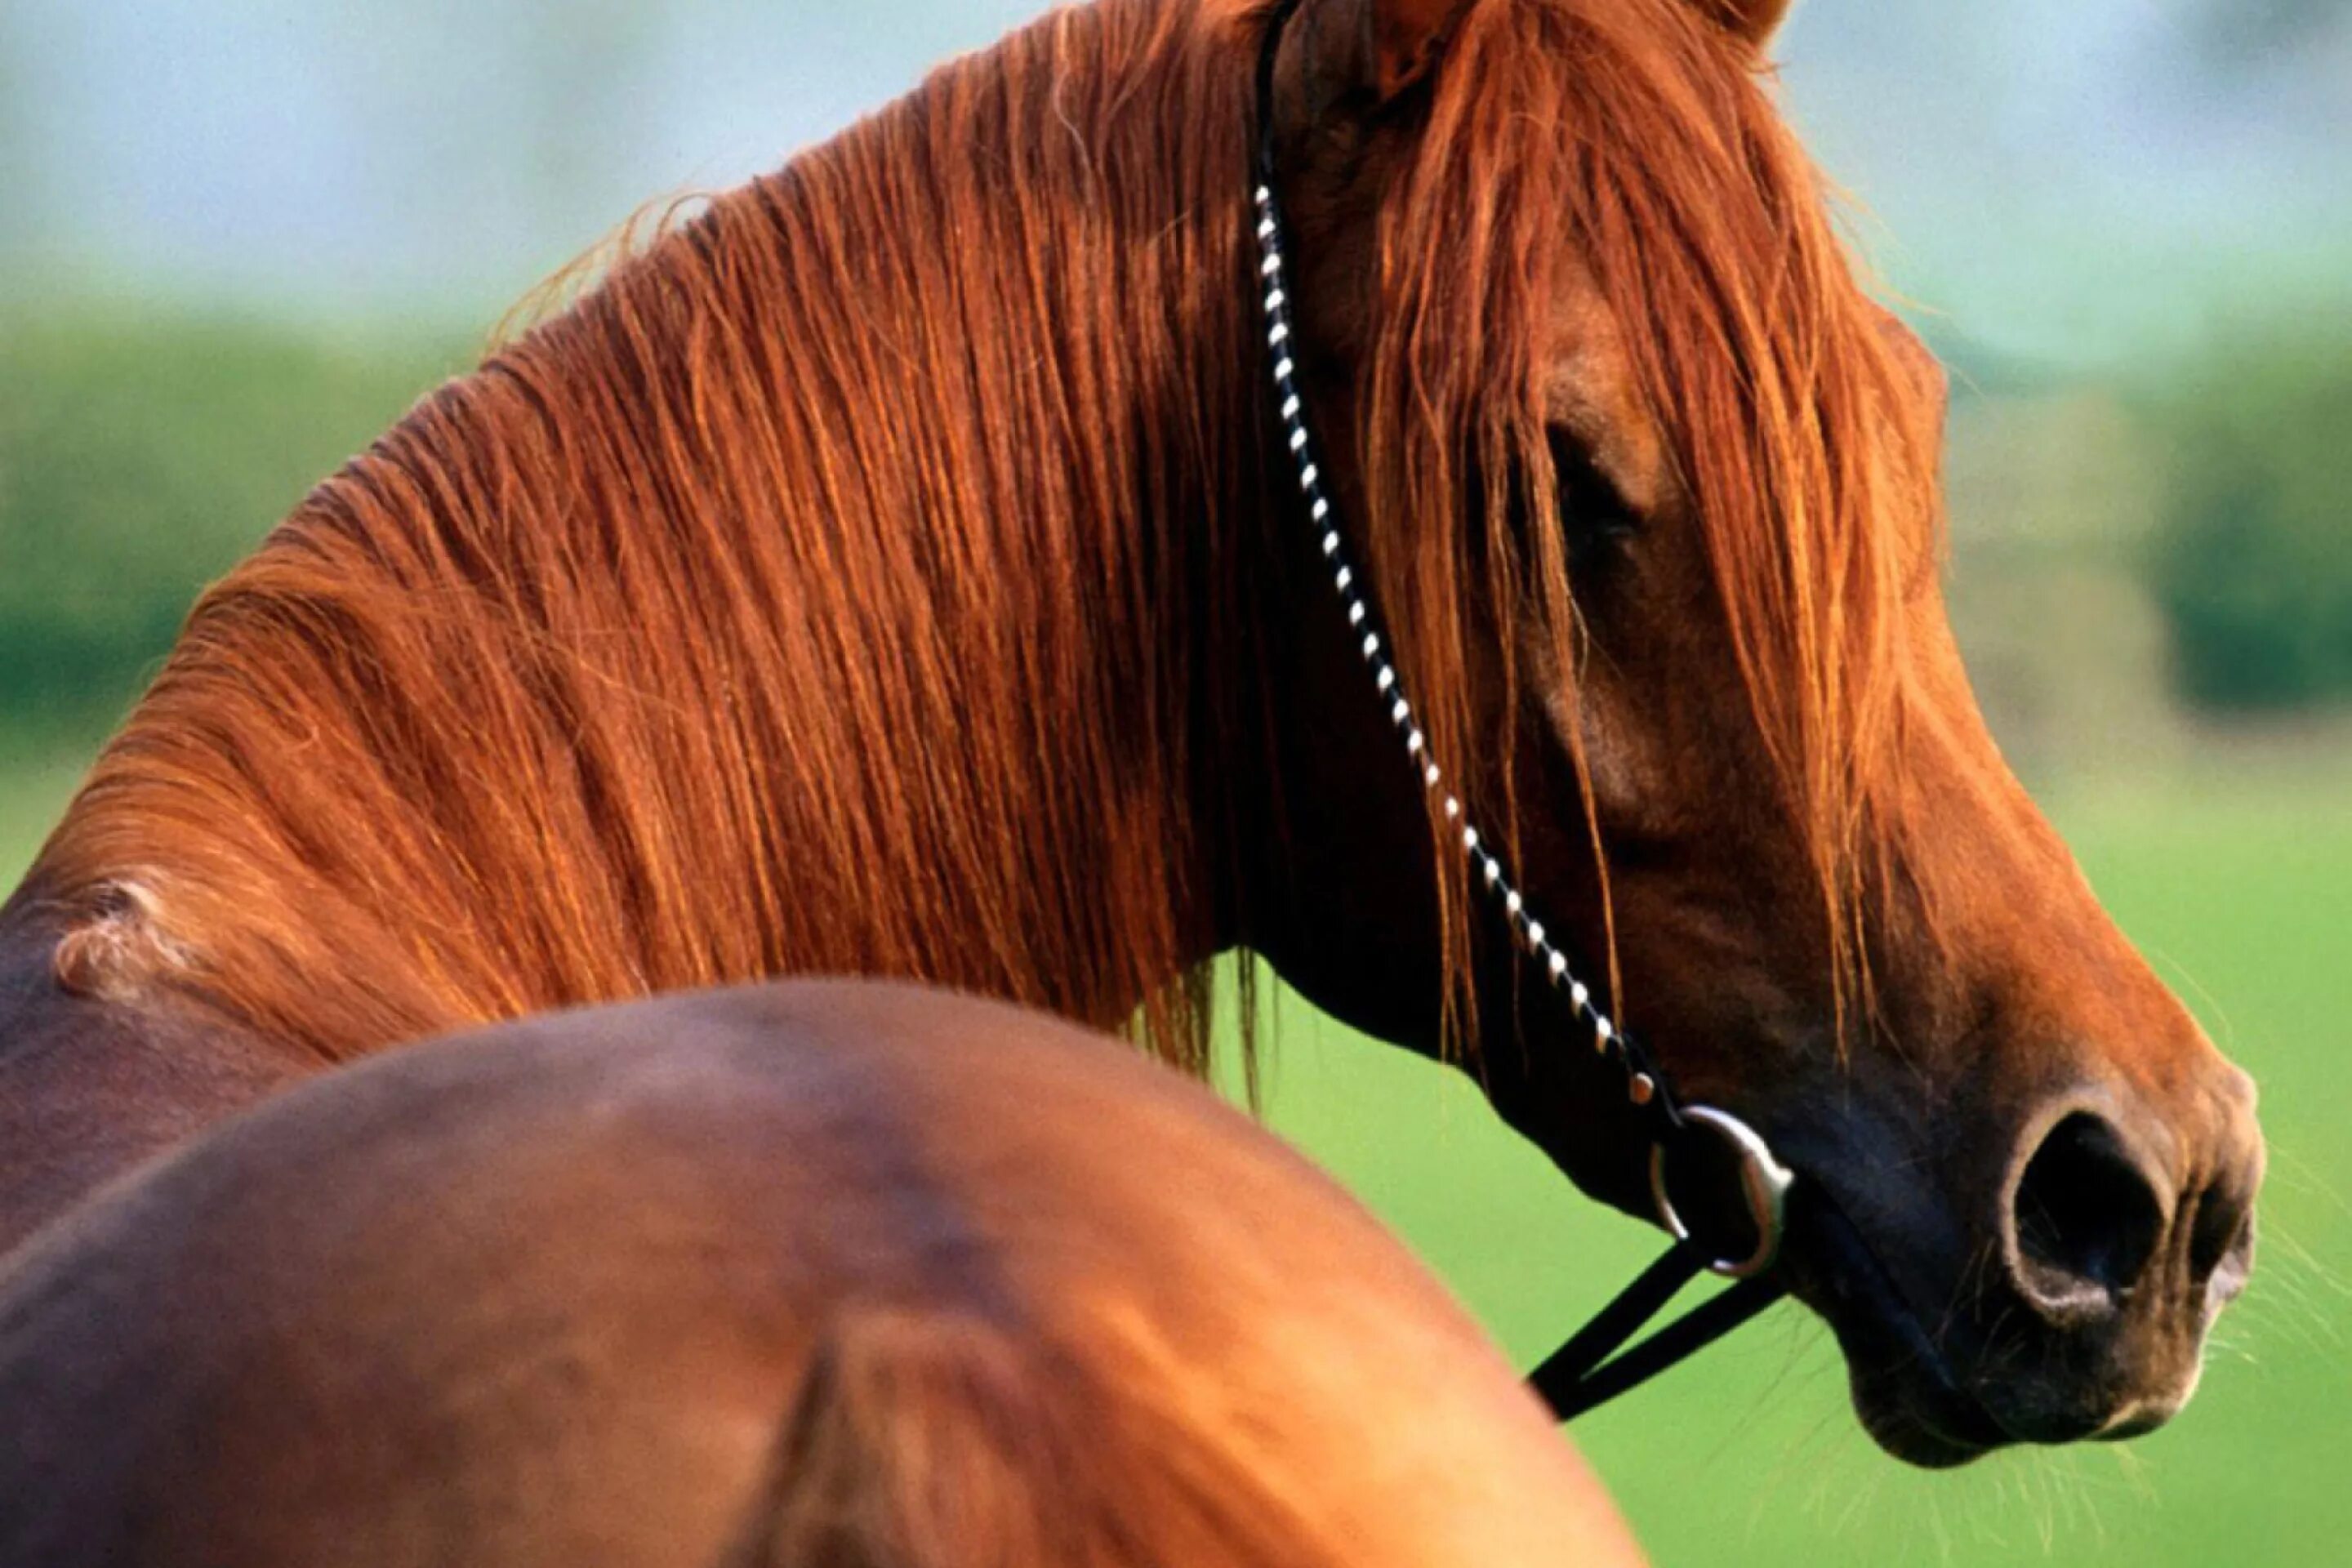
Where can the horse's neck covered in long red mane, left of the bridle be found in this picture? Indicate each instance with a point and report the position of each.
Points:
(836, 589)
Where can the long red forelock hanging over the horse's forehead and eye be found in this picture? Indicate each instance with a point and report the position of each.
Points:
(1638, 138)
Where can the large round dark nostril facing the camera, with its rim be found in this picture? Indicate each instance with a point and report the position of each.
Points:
(2085, 1219)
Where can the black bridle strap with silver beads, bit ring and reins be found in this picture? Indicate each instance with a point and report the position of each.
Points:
(1582, 1374)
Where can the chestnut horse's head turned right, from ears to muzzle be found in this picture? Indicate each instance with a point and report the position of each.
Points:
(1648, 490)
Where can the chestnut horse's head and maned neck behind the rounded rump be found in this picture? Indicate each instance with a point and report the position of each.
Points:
(895, 572)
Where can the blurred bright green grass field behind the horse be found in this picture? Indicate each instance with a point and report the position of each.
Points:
(1753, 1456)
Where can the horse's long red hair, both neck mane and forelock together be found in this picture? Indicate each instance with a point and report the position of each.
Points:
(820, 591)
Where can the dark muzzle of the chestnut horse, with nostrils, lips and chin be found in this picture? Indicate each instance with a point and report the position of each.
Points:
(2073, 1311)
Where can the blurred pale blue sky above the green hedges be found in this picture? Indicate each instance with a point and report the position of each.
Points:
(2062, 180)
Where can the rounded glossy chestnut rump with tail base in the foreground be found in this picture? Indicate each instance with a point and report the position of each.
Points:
(824, 1273)
